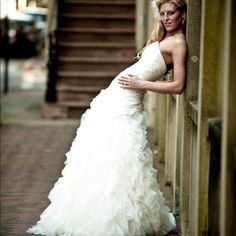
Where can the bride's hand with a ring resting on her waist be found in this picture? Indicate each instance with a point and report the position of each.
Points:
(130, 81)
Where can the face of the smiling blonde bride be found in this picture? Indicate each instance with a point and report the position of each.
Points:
(171, 17)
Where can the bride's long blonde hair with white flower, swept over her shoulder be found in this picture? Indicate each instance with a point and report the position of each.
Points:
(159, 31)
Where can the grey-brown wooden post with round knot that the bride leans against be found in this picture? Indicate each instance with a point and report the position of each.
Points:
(189, 119)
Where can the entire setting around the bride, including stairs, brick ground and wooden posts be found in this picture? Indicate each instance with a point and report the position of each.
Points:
(56, 55)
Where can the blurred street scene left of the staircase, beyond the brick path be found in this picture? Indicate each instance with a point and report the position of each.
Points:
(22, 58)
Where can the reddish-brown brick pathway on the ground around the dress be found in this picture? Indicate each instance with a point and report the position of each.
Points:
(31, 160)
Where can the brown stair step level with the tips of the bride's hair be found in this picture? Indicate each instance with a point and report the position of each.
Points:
(90, 49)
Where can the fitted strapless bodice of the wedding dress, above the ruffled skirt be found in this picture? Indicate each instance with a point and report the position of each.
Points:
(150, 67)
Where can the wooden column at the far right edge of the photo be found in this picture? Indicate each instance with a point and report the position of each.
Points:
(228, 160)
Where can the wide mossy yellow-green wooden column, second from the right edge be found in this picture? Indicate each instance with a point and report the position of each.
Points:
(210, 95)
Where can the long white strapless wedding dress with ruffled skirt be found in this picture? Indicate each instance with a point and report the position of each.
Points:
(108, 185)
